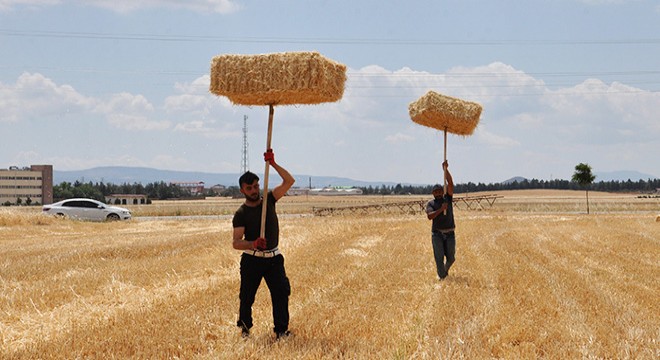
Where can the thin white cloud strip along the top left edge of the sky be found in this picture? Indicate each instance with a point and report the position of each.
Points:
(125, 6)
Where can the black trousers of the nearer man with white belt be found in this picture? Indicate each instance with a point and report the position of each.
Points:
(253, 269)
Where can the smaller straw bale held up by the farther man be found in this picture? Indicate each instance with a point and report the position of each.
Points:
(444, 112)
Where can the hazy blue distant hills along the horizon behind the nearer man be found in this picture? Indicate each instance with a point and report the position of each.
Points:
(130, 175)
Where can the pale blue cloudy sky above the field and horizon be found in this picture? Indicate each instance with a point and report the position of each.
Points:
(96, 83)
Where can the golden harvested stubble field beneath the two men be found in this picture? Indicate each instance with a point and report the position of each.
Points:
(526, 284)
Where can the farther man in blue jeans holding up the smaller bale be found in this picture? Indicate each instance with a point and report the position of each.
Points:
(441, 211)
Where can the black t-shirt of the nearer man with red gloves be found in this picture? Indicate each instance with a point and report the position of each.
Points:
(249, 217)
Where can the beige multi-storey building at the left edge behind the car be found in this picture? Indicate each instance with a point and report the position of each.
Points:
(27, 185)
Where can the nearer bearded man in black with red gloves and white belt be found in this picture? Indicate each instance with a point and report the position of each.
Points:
(261, 257)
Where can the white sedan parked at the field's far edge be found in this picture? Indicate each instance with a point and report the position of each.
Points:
(87, 209)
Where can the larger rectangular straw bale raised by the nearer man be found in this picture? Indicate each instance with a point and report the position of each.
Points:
(277, 78)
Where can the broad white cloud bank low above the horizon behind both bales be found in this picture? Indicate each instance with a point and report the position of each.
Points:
(526, 128)
